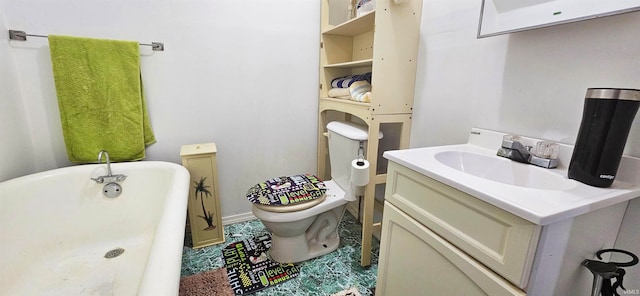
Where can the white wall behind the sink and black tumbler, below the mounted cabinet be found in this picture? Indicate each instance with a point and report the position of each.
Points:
(531, 83)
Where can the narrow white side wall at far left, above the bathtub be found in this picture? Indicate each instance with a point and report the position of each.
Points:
(16, 152)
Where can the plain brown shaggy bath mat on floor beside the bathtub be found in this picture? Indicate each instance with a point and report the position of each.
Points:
(208, 283)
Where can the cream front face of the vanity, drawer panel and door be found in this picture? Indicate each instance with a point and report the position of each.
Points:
(437, 240)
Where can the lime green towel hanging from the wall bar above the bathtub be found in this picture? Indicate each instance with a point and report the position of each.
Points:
(100, 98)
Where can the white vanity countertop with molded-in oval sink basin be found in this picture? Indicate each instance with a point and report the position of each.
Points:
(539, 195)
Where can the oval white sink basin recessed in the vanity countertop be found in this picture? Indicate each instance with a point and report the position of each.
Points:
(503, 170)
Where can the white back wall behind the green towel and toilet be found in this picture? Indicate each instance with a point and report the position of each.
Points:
(242, 74)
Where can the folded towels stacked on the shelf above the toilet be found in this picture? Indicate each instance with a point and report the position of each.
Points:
(352, 87)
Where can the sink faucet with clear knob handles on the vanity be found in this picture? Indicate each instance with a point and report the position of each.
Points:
(543, 156)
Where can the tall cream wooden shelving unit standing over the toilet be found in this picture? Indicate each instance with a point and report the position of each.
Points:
(385, 43)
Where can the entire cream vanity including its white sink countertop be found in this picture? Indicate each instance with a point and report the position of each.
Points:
(459, 220)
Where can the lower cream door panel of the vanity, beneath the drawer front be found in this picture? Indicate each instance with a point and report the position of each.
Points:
(416, 261)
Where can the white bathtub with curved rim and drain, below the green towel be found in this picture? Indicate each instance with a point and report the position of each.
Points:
(56, 227)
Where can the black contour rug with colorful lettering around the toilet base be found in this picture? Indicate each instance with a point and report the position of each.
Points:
(250, 270)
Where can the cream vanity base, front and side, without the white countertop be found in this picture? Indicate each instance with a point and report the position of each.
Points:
(438, 240)
